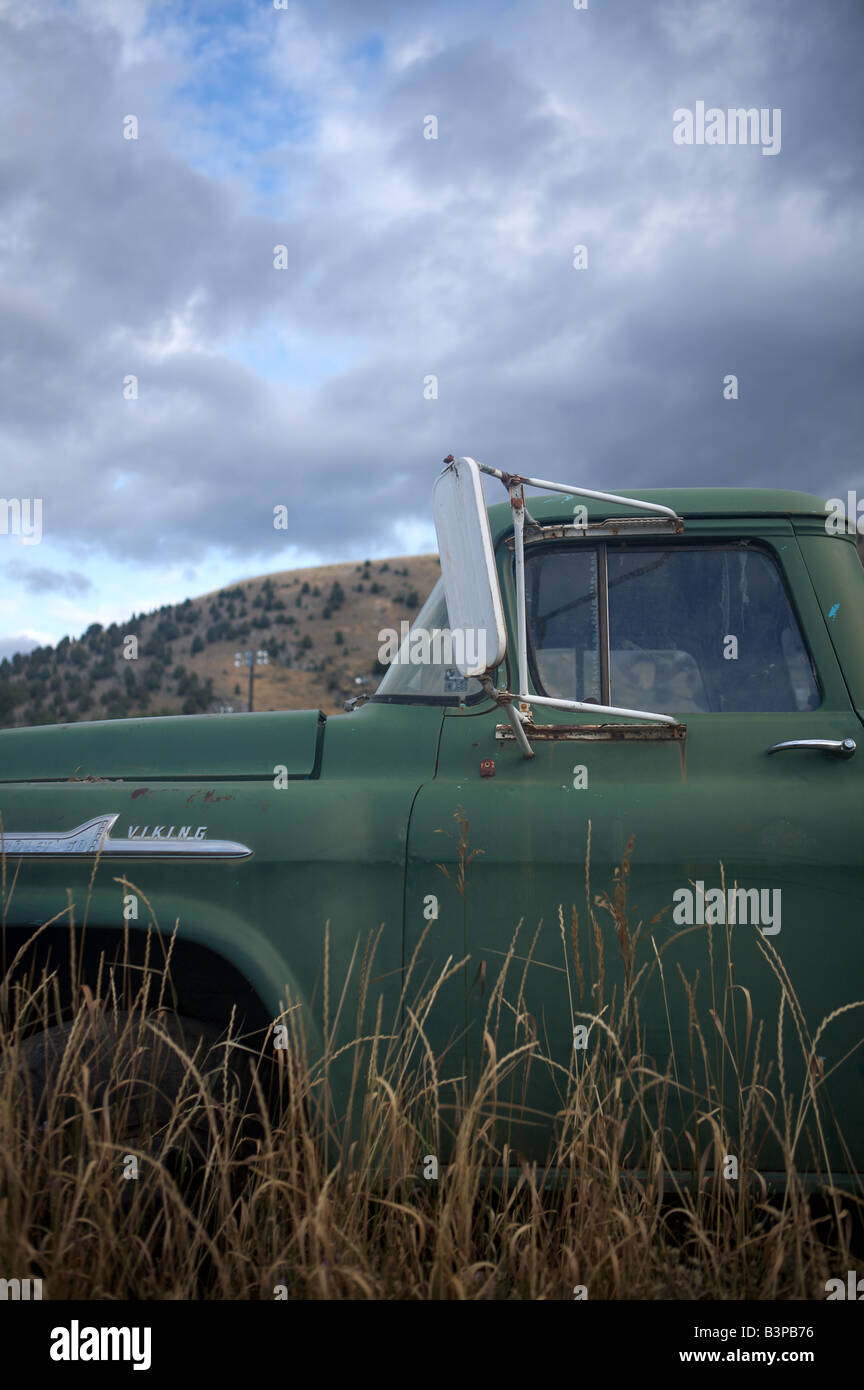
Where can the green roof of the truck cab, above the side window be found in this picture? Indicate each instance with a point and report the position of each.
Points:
(687, 502)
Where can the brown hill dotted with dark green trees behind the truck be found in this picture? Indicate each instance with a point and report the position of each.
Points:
(319, 628)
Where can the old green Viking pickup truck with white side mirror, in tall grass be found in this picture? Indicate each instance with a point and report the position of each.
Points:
(661, 694)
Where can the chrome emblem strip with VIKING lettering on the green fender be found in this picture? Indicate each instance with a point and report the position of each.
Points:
(95, 837)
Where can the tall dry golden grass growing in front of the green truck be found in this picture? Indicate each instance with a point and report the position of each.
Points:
(244, 1199)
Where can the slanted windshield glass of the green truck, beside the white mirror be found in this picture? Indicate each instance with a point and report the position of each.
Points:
(423, 667)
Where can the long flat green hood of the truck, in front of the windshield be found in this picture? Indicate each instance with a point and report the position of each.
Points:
(173, 749)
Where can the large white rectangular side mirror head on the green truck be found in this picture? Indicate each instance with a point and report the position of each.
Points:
(467, 562)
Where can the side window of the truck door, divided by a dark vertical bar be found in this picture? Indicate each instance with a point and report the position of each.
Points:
(690, 630)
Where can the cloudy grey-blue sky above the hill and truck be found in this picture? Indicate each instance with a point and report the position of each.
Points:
(263, 256)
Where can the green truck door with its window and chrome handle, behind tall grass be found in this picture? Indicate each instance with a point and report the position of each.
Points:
(723, 629)
